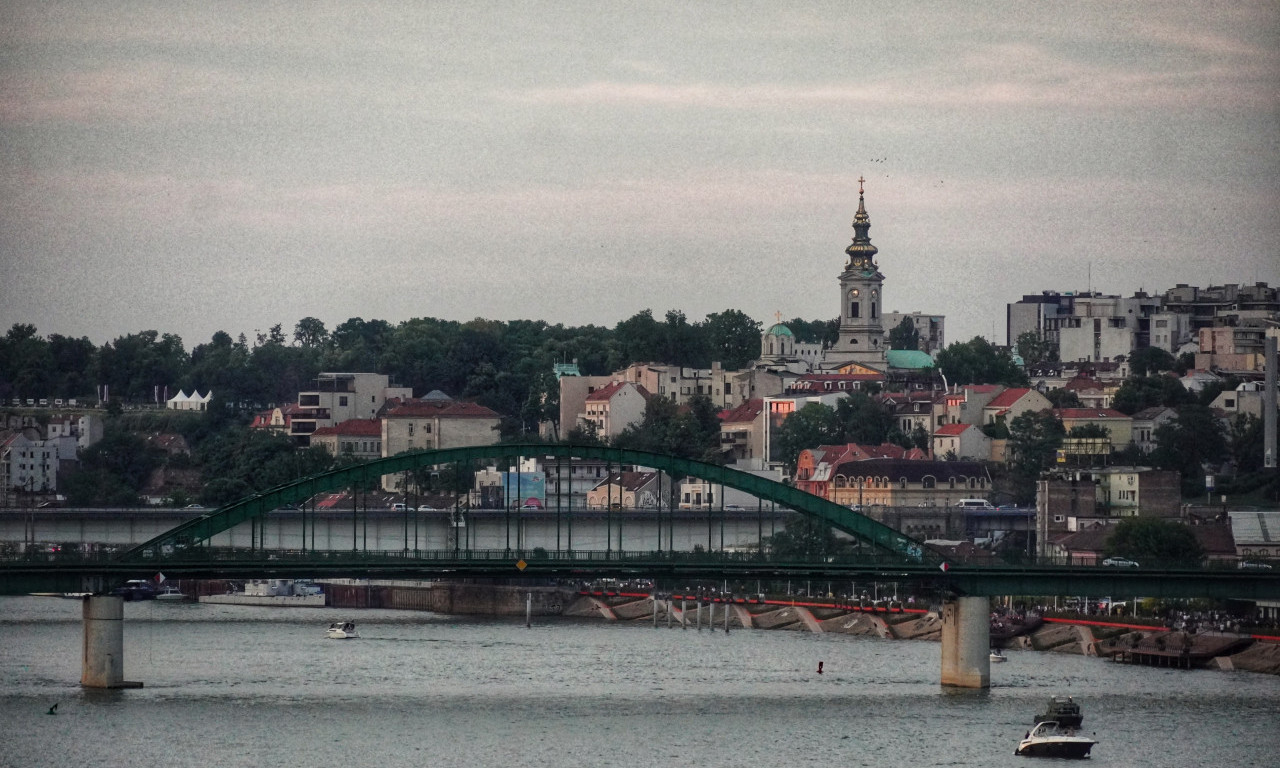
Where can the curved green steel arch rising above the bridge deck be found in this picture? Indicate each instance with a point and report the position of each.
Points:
(865, 529)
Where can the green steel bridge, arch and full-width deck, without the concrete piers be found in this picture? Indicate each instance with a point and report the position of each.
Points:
(881, 552)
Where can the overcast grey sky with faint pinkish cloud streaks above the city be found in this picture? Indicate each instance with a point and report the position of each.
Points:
(202, 167)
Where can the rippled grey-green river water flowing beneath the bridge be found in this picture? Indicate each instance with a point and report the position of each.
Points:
(259, 687)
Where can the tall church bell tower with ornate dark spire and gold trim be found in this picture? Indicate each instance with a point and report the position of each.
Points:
(862, 331)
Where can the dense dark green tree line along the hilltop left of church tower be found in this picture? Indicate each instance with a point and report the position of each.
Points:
(504, 365)
